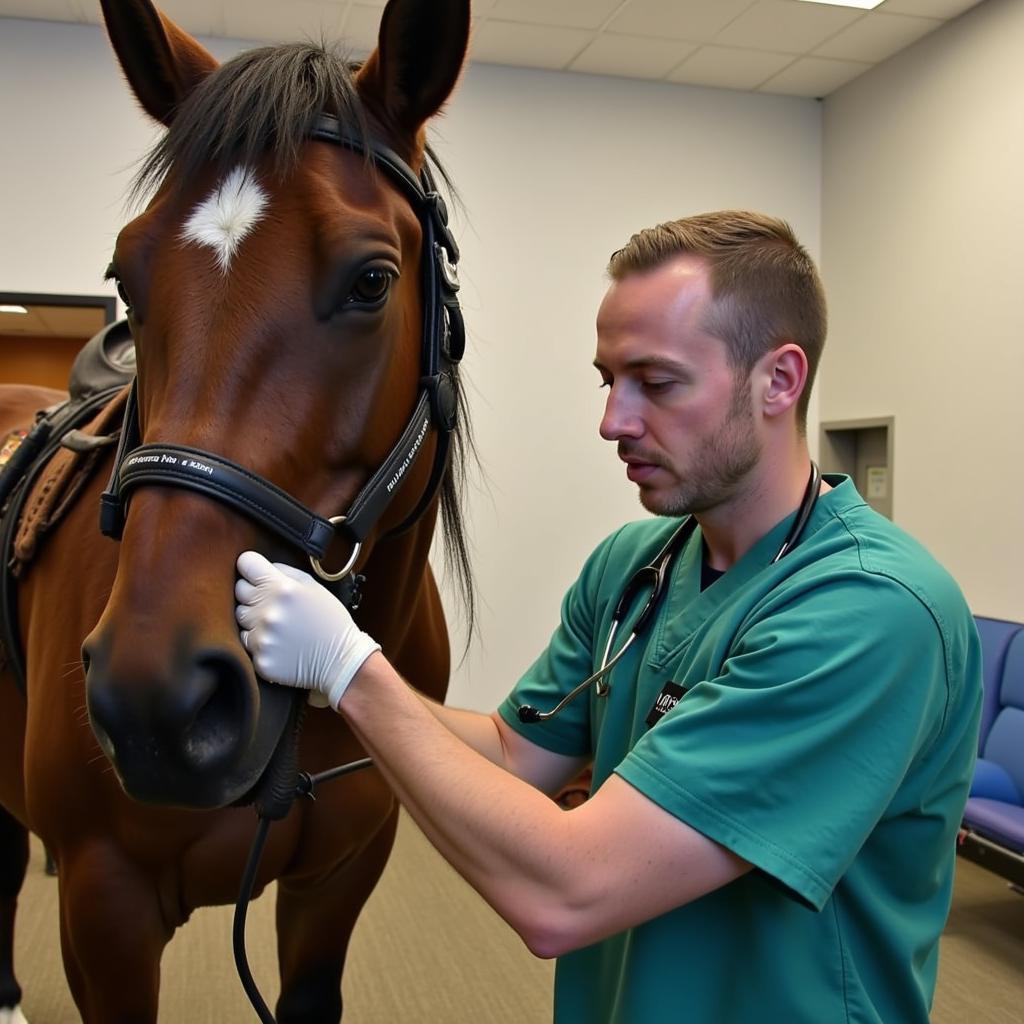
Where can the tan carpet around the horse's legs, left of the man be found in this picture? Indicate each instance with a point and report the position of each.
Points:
(428, 951)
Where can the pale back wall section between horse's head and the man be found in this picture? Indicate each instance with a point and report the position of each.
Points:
(558, 173)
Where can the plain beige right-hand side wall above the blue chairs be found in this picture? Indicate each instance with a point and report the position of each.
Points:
(923, 226)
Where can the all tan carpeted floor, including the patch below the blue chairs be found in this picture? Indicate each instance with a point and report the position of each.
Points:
(428, 951)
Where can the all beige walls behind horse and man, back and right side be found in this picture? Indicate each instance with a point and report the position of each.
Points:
(917, 185)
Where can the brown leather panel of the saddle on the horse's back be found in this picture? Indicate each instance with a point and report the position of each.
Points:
(60, 484)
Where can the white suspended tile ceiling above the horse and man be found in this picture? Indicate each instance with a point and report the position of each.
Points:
(790, 48)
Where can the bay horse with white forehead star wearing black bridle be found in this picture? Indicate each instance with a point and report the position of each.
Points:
(286, 286)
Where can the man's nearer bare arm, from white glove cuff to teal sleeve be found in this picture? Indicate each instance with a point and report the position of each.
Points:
(562, 879)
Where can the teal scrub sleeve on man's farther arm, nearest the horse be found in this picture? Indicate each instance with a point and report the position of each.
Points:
(569, 659)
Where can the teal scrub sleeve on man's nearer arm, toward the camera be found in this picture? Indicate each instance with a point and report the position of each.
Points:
(795, 752)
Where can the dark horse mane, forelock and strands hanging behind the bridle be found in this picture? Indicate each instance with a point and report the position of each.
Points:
(266, 102)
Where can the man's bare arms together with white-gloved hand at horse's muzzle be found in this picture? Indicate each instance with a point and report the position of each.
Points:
(562, 879)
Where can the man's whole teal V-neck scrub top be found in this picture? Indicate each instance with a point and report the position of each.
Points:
(827, 735)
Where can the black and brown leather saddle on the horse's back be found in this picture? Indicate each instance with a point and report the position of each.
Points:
(51, 464)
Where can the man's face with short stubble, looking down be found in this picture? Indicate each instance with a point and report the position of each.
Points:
(684, 422)
